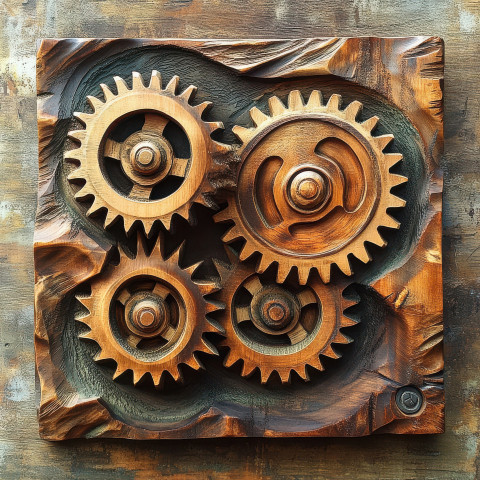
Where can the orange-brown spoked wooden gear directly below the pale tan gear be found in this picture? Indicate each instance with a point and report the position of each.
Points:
(148, 315)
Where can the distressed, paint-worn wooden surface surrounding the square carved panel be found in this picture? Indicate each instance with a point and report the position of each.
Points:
(454, 455)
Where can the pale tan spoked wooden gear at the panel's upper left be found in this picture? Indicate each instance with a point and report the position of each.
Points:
(146, 156)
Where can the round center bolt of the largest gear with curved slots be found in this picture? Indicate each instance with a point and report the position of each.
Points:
(308, 190)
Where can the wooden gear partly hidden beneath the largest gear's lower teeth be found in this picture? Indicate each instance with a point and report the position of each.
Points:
(279, 327)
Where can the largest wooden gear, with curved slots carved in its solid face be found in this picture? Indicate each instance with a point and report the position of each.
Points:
(313, 186)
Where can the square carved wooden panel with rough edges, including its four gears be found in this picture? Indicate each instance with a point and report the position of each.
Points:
(255, 255)
